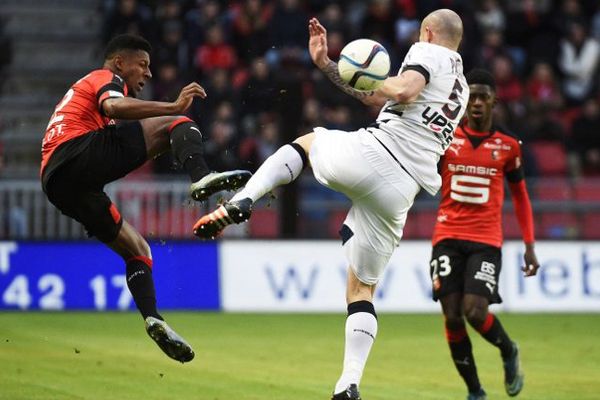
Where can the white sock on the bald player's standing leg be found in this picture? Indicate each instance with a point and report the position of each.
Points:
(361, 330)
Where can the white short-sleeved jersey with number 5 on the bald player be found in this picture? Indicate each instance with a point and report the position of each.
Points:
(417, 134)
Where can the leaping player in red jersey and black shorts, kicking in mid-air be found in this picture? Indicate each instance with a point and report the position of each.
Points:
(84, 149)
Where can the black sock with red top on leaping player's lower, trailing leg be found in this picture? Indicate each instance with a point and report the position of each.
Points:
(141, 286)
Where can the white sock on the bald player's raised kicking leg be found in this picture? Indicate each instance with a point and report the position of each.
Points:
(281, 168)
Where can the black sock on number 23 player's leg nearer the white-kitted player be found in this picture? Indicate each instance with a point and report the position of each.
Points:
(462, 355)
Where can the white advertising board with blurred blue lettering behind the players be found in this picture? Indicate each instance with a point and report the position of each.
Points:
(310, 276)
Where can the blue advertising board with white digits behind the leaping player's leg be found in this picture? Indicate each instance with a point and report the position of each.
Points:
(89, 276)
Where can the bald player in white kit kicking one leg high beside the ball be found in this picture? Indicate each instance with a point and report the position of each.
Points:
(381, 168)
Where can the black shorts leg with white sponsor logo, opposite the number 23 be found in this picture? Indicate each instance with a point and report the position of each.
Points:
(483, 271)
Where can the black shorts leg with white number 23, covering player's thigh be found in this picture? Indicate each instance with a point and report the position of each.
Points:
(447, 268)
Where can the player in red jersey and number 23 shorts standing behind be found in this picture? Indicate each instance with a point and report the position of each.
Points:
(466, 257)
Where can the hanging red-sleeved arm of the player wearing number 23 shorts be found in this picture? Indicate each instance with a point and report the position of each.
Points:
(522, 204)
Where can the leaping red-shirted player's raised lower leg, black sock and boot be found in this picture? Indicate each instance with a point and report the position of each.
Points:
(188, 149)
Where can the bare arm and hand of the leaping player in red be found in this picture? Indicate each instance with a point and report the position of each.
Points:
(120, 107)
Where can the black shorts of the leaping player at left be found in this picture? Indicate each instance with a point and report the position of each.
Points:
(78, 170)
